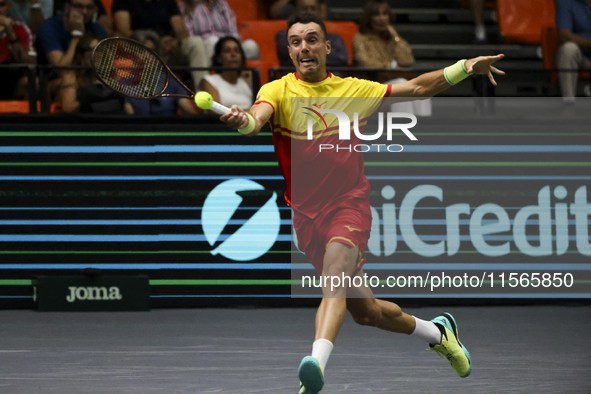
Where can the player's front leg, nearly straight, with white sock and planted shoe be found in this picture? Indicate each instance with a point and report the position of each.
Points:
(339, 262)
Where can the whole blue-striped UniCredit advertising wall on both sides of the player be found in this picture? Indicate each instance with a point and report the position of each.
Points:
(152, 197)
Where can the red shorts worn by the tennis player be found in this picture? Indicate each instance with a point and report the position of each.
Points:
(346, 225)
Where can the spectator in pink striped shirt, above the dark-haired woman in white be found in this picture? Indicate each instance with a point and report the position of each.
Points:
(212, 20)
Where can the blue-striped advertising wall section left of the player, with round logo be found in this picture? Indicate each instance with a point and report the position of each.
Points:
(129, 198)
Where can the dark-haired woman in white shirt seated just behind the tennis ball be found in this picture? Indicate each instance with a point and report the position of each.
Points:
(227, 87)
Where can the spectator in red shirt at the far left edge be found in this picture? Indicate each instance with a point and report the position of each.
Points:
(16, 46)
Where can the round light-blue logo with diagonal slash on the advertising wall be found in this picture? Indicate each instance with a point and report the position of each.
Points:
(254, 237)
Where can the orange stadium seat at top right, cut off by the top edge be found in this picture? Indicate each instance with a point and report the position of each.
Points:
(522, 21)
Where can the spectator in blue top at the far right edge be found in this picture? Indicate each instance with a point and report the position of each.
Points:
(573, 21)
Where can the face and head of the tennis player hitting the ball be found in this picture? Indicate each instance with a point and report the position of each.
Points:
(308, 49)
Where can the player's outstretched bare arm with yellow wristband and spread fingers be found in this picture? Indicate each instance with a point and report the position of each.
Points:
(433, 83)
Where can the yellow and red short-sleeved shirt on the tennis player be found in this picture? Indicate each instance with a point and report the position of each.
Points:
(318, 179)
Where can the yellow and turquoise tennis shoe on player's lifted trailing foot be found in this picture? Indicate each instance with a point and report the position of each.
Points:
(450, 346)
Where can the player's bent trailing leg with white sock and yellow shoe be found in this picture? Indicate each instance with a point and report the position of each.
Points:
(441, 333)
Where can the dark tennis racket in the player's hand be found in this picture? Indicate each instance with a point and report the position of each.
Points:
(135, 71)
